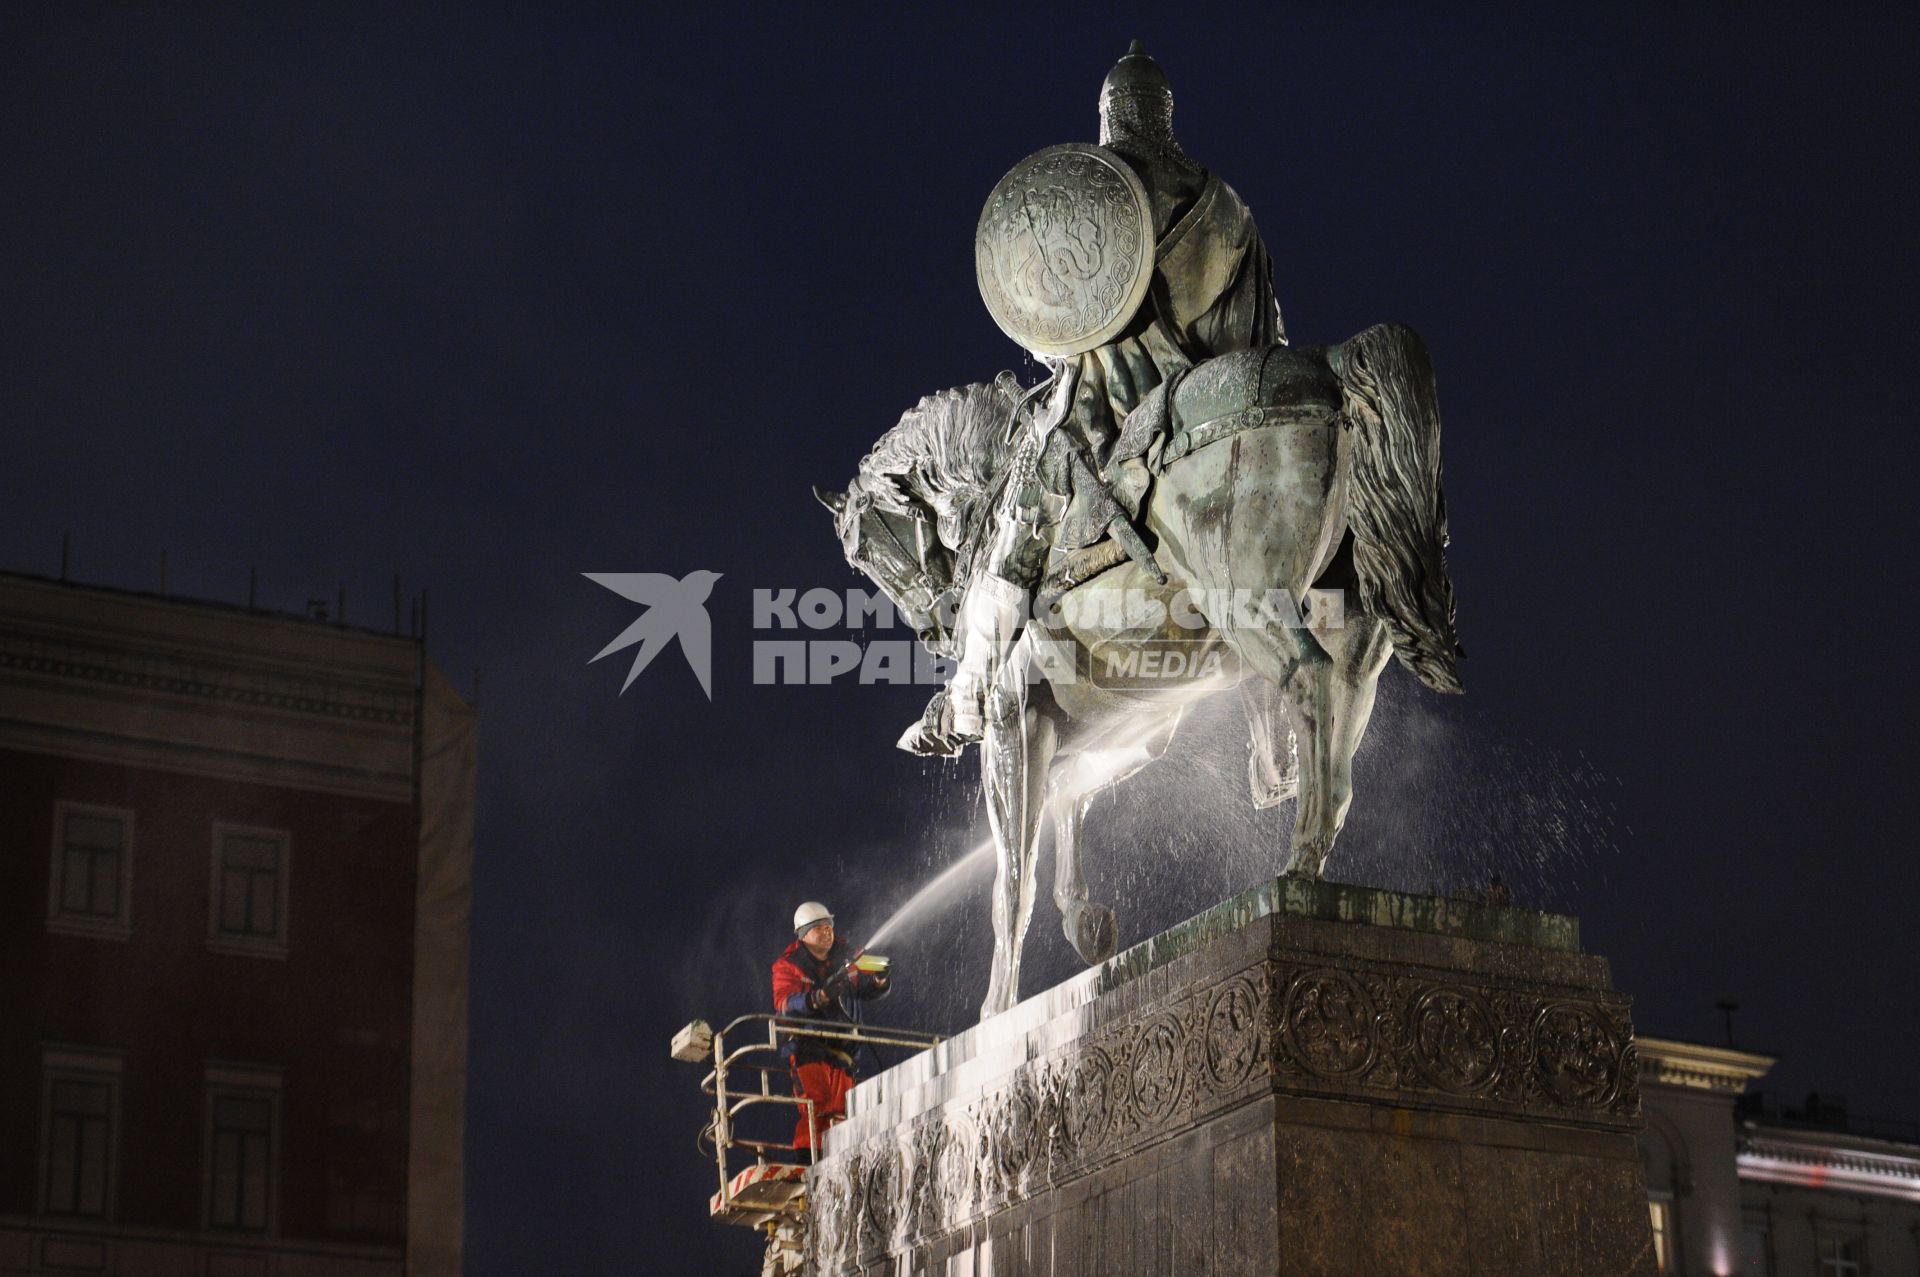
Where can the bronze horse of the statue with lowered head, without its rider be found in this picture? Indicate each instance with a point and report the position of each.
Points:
(1284, 473)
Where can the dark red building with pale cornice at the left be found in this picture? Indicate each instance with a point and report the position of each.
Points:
(235, 875)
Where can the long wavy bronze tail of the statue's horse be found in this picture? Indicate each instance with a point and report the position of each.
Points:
(1397, 500)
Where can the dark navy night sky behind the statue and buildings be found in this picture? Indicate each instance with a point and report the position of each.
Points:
(492, 301)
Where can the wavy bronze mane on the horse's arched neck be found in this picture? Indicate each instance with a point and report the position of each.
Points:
(948, 450)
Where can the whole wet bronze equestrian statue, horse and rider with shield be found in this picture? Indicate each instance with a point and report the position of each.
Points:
(1184, 506)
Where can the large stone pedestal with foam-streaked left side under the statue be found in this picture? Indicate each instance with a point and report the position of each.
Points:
(1308, 1078)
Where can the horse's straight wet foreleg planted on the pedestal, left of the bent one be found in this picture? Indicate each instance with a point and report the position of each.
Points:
(1015, 758)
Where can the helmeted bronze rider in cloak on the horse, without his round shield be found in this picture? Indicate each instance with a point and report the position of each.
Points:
(1211, 295)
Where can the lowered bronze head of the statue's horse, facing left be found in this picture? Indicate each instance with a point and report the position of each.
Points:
(894, 541)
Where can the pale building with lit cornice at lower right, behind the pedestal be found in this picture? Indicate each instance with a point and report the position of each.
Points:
(1742, 1188)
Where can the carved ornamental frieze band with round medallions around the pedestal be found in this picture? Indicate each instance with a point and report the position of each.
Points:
(1397, 1036)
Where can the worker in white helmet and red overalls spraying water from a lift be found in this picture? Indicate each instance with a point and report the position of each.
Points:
(815, 980)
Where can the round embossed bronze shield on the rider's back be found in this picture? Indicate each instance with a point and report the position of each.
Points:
(1065, 249)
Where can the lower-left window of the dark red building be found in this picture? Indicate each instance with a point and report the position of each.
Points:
(80, 1119)
